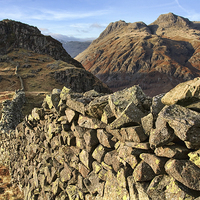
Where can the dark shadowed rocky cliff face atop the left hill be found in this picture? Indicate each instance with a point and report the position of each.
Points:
(19, 35)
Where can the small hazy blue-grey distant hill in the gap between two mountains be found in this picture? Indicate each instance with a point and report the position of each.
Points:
(75, 47)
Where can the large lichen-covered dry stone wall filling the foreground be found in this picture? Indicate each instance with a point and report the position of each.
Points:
(120, 146)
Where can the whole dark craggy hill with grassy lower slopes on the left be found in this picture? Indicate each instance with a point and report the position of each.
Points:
(41, 62)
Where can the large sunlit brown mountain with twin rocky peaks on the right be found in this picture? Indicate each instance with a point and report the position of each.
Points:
(156, 56)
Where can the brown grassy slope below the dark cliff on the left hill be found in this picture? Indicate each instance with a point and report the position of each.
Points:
(37, 77)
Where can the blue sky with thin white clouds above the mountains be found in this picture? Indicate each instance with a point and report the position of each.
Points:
(86, 19)
